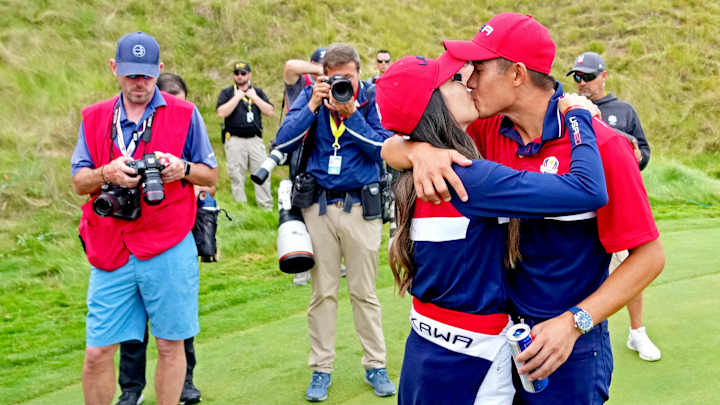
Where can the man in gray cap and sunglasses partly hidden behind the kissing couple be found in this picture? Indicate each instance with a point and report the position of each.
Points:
(590, 73)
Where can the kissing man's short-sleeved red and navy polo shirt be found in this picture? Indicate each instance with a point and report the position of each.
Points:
(566, 258)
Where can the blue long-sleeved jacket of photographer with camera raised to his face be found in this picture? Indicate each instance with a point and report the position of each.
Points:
(360, 144)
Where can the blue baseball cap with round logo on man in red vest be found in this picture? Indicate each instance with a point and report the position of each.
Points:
(138, 53)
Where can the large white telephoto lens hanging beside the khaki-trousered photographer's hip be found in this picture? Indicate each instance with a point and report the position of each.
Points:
(295, 253)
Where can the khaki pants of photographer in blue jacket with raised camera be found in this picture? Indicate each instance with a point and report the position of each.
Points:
(335, 235)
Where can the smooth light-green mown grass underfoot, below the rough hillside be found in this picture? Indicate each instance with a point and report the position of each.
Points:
(266, 363)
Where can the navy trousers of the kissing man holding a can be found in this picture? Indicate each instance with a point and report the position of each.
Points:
(584, 379)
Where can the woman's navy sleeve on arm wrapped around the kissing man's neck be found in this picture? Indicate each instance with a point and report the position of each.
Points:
(496, 190)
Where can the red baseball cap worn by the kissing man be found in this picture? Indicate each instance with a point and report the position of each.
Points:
(516, 37)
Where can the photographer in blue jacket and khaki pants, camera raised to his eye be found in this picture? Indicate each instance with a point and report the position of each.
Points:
(338, 191)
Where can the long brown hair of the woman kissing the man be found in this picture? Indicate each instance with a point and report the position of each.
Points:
(438, 128)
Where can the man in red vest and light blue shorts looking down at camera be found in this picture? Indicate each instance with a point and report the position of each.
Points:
(137, 237)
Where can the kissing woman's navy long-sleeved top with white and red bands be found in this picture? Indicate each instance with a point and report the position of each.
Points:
(459, 247)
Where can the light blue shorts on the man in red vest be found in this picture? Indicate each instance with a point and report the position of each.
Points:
(163, 288)
